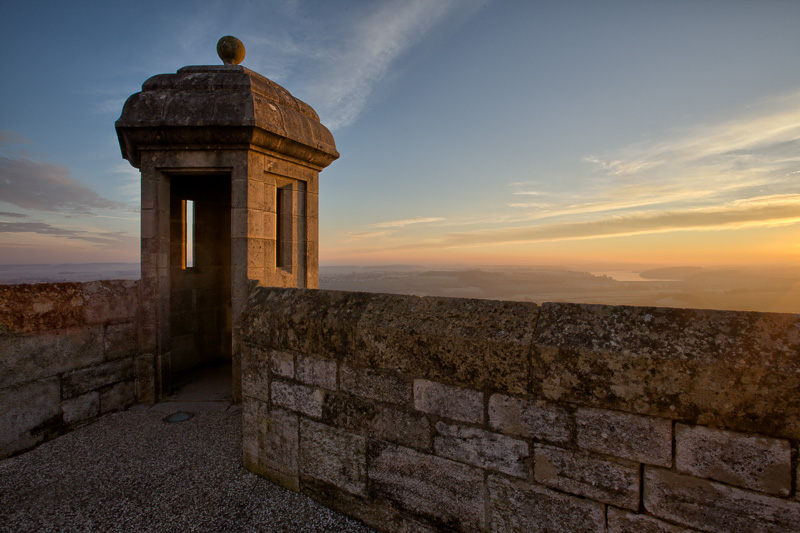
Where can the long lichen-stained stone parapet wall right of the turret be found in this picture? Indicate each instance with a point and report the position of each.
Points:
(434, 414)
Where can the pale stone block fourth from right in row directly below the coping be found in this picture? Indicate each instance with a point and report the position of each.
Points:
(438, 399)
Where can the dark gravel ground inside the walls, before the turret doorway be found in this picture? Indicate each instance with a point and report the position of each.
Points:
(131, 471)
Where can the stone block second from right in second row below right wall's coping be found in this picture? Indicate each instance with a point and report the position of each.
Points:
(613, 481)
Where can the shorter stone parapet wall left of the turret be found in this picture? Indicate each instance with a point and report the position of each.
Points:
(66, 357)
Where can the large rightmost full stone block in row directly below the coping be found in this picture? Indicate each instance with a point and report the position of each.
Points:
(751, 462)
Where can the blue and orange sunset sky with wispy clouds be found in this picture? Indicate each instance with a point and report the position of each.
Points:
(471, 132)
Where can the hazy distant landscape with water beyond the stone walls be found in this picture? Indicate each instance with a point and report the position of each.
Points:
(768, 288)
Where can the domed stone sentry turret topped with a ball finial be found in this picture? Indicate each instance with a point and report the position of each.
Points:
(230, 163)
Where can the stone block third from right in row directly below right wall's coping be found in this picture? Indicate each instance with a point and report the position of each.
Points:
(537, 420)
